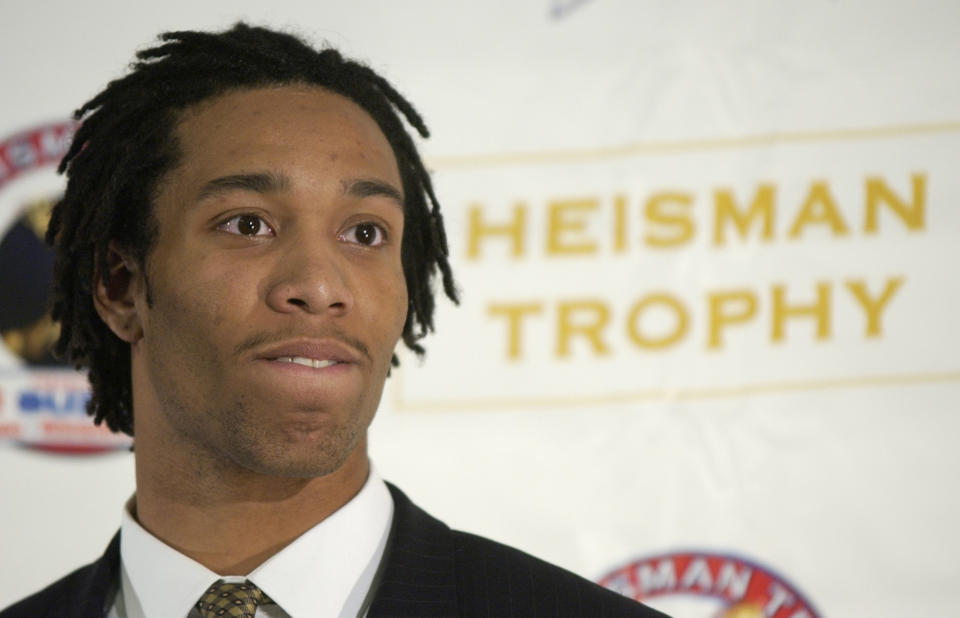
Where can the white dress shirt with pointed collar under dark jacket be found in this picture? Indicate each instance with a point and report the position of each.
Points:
(326, 571)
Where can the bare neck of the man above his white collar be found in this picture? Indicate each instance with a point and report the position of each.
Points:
(230, 520)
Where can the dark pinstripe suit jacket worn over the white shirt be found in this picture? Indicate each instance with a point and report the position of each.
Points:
(428, 571)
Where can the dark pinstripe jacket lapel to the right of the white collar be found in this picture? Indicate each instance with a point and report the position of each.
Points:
(417, 574)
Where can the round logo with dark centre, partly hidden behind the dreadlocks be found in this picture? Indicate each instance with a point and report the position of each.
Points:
(42, 400)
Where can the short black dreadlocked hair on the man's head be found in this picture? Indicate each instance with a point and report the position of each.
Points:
(126, 143)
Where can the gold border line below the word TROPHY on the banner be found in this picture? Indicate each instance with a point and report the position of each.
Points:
(655, 395)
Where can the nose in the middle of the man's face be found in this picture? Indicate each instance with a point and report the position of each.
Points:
(310, 277)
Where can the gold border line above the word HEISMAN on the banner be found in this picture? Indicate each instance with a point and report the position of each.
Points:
(444, 162)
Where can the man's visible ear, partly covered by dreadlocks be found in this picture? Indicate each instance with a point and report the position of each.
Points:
(115, 300)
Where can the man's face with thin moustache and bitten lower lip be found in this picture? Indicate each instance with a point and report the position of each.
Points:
(276, 283)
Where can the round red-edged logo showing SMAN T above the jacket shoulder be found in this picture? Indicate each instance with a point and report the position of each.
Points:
(710, 584)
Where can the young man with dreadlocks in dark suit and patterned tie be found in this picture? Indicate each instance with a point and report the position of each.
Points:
(247, 233)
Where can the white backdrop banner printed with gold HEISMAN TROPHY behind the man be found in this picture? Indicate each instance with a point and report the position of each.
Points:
(706, 353)
